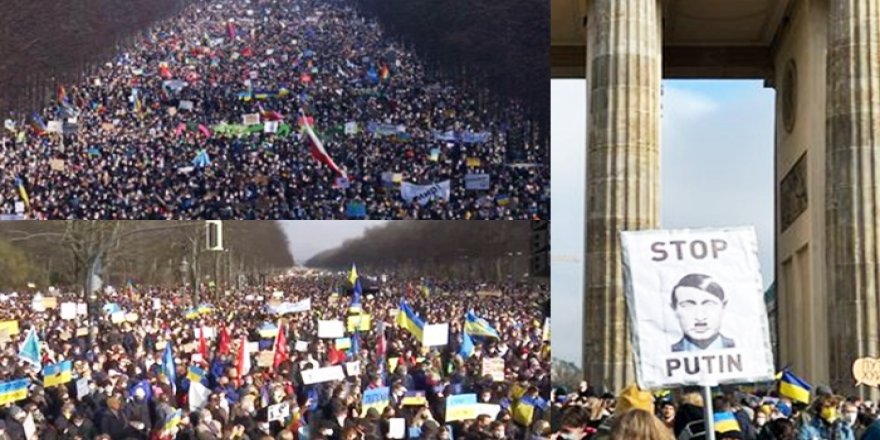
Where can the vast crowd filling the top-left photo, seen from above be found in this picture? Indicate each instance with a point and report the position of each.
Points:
(294, 109)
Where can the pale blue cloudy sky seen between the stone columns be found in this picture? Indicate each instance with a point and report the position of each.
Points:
(716, 170)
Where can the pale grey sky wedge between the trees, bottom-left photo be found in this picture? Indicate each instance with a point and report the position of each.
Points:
(308, 237)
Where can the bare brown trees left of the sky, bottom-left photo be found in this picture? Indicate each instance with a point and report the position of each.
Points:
(150, 252)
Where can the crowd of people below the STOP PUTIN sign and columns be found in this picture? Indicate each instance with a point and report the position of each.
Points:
(640, 415)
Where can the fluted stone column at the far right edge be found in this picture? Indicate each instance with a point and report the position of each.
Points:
(852, 167)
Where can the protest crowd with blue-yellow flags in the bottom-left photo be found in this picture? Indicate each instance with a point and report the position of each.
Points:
(302, 357)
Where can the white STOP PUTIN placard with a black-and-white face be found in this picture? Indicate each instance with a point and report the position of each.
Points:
(696, 307)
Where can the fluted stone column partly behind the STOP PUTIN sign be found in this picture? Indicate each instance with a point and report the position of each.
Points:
(624, 72)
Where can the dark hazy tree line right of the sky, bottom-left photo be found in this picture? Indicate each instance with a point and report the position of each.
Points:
(489, 251)
